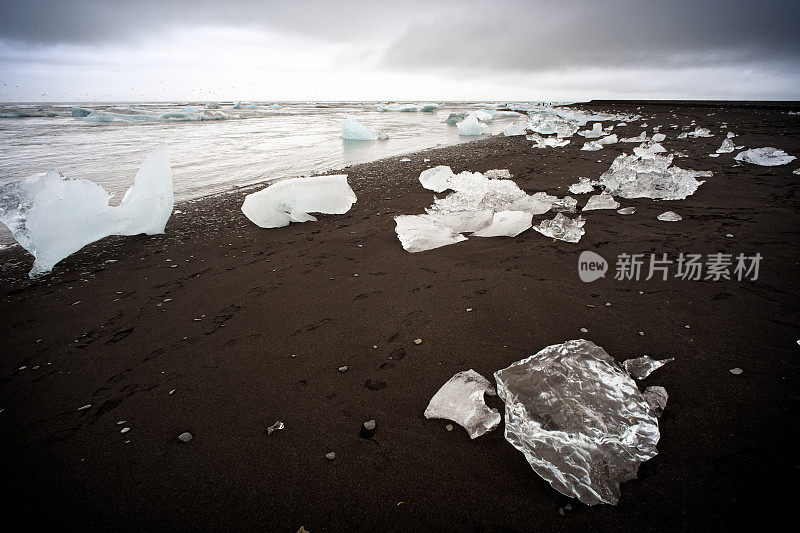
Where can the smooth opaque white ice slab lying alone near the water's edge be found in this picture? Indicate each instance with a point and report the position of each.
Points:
(292, 199)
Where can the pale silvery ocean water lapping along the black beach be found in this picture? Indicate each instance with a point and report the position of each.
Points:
(212, 150)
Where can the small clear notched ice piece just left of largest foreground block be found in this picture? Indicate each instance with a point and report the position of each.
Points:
(461, 400)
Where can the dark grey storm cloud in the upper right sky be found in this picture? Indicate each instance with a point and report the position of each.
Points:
(536, 36)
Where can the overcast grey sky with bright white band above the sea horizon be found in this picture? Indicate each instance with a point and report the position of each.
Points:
(93, 50)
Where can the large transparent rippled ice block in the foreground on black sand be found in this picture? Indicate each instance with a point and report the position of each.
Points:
(579, 419)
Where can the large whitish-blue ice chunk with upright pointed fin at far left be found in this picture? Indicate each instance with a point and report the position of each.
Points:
(53, 217)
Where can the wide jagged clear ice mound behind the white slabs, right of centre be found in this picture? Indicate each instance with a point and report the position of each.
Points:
(632, 176)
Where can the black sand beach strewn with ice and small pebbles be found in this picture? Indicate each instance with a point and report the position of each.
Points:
(220, 330)
